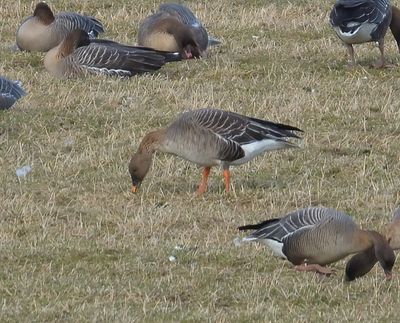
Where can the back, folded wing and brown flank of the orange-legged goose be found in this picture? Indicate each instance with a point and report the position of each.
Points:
(210, 136)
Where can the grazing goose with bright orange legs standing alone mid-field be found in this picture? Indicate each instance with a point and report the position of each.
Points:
(210, 137)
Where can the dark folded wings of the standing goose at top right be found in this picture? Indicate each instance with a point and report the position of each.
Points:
(349, 14)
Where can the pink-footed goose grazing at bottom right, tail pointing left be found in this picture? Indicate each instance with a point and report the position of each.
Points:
(313, 237)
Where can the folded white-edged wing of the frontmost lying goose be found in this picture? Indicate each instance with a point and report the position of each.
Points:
(110, 60)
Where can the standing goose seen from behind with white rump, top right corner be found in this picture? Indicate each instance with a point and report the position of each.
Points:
(362, 21)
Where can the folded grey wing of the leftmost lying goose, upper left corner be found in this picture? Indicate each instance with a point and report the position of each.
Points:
(72, 21)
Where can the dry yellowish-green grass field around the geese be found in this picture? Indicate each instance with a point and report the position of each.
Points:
(77, 246)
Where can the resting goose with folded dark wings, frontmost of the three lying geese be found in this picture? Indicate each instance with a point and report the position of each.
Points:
(78, 55)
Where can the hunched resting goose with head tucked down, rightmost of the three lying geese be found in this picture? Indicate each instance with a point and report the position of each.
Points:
(175, 28)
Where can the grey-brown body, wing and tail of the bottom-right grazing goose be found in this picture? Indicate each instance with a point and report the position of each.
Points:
(315, 235)
